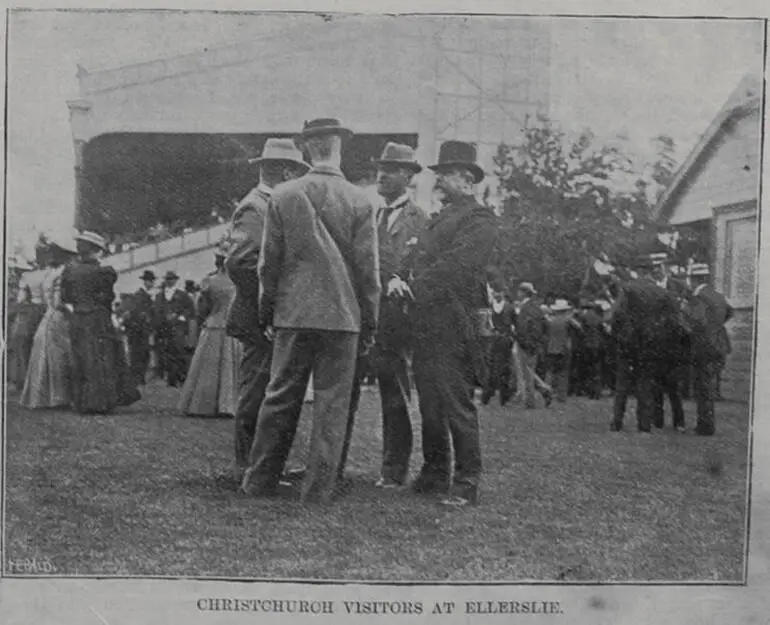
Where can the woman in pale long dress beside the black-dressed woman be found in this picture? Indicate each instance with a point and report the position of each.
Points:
(48, 381)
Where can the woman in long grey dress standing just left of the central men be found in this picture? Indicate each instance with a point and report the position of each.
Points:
(211, 387)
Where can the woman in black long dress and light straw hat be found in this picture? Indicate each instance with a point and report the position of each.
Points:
(101, 380)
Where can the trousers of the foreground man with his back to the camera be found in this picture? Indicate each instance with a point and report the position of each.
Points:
(331, 358)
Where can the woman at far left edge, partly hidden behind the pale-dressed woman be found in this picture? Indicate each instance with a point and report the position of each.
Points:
(29, 312)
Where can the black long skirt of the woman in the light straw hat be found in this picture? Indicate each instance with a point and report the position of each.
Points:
(101, 379)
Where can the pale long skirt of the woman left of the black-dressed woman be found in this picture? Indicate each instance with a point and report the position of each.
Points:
(49, 375)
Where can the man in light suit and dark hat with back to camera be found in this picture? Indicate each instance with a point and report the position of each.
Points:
(319, 293)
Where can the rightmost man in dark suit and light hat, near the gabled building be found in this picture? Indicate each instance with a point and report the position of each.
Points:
(707, 312)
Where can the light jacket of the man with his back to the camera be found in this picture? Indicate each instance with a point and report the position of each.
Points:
(319, 267)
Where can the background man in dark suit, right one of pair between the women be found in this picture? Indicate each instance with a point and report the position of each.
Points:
(174, 310)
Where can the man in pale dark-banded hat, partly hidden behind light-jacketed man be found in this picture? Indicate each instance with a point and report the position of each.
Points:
(280, 161)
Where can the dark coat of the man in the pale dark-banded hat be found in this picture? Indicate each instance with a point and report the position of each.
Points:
(246, 230)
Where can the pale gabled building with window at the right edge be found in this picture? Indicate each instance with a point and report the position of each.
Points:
(716, 194)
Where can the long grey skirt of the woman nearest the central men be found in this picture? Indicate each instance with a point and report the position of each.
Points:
(211, 386)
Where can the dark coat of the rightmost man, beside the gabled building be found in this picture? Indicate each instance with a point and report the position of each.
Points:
(707, 312)
